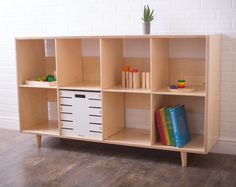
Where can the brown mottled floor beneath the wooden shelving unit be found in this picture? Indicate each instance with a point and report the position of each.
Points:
(75, 163)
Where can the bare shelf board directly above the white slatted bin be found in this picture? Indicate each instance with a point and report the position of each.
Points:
(83, 85)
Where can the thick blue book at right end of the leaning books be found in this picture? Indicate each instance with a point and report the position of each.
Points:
(180, 125)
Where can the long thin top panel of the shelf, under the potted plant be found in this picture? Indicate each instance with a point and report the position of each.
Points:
(161, 35)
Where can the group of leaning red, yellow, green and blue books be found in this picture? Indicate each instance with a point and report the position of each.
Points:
(172, 125)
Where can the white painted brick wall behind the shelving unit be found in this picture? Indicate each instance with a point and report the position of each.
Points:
(90, 17)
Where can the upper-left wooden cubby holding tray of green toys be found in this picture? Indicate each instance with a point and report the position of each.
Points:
(35, 58)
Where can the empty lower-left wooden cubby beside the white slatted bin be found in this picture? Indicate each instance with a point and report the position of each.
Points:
(38, 111)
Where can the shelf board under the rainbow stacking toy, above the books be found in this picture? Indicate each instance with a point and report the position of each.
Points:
(199, 92)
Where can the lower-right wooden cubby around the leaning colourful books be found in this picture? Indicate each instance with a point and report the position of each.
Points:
(195, 110)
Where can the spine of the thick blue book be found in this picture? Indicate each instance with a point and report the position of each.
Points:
(174, 121)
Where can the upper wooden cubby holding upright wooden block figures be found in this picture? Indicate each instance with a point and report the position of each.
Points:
(118, 52)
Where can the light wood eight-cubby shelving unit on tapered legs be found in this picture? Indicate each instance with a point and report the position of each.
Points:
(93, 65)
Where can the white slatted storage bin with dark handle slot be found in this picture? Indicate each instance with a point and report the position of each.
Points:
(81, 113)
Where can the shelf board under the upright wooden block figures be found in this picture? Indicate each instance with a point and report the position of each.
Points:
(120, 88)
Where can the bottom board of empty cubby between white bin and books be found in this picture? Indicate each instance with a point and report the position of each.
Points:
(130, 137)
